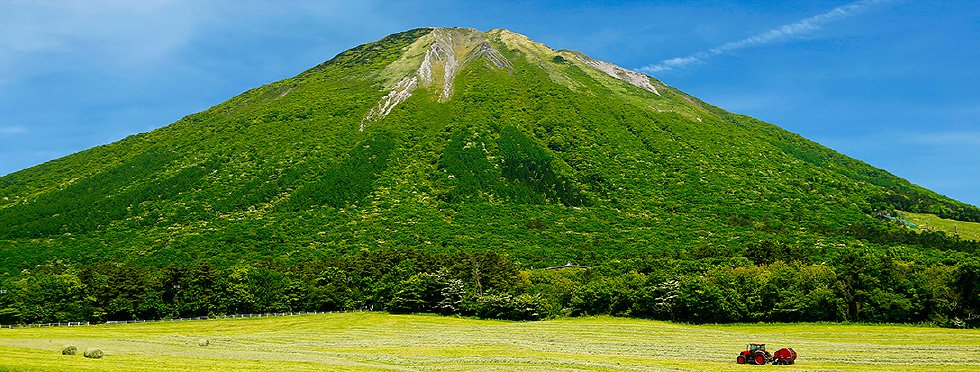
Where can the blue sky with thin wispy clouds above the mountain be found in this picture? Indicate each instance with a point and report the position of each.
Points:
(893, 83)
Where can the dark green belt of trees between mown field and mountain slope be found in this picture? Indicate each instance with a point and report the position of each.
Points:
(858, 285)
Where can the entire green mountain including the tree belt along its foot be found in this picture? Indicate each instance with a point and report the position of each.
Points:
(458, 172)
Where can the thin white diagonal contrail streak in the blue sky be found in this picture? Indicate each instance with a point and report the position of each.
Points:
(777, 34)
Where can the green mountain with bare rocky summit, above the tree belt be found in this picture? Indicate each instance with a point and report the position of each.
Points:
(452, 139)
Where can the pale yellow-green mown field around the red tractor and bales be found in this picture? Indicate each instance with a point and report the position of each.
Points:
(378, 341)
